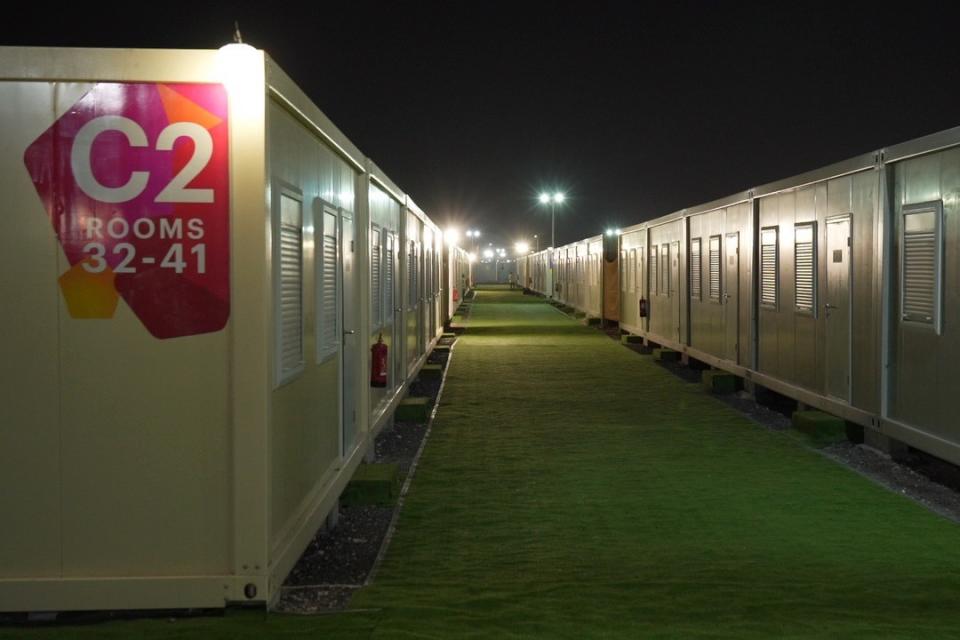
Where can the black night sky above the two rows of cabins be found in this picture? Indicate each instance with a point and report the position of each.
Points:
(633, 110)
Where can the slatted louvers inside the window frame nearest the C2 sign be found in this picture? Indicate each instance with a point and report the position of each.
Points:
(291, 298)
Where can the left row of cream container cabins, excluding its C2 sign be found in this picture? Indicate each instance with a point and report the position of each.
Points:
(145, 473)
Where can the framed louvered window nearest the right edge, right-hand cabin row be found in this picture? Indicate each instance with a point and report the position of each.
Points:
(922, 263)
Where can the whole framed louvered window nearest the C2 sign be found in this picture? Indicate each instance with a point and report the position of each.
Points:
(289, 290)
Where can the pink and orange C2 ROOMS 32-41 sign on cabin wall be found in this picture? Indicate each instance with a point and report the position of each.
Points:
(135, 179)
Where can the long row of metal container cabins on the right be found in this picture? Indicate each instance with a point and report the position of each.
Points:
(839, 288)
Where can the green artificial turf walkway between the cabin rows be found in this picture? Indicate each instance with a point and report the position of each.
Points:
(572, 488)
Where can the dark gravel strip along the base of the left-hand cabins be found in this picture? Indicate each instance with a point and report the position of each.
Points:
(340, 560)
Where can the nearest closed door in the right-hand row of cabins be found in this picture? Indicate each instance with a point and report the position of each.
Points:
(837, 308)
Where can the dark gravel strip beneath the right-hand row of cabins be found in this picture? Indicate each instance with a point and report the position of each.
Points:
(932, 482)
